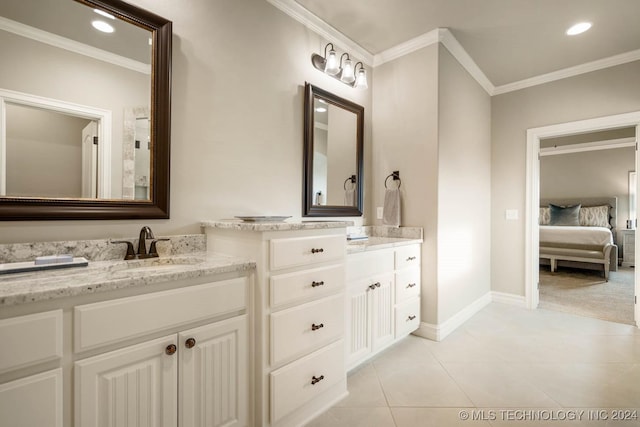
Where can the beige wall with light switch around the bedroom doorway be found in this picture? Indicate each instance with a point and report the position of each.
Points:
(600, 93)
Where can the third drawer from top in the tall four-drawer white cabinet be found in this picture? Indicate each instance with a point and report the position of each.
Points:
(304, 328)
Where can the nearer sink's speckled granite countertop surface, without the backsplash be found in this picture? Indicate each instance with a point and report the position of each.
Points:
(102, 276)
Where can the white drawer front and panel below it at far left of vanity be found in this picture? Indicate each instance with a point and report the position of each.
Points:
(32, 344)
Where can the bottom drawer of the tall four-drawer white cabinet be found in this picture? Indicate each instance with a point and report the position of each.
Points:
(301, 381)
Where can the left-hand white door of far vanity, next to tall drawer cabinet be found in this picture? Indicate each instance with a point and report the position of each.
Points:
(358, 320)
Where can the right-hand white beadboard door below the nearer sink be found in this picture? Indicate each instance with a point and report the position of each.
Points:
(213, 375)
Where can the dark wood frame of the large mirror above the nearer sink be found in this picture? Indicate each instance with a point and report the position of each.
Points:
(15, 209)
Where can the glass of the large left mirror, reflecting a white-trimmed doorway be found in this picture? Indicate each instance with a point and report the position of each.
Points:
(66, 104)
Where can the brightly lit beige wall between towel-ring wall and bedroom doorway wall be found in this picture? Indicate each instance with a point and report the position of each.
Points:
(464, 188)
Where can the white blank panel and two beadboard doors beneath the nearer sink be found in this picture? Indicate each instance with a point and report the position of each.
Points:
(195, 377)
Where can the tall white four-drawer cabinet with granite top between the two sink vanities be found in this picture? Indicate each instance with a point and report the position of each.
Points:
(299, 315)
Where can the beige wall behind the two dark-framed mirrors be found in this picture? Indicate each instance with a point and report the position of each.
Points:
(239, 69)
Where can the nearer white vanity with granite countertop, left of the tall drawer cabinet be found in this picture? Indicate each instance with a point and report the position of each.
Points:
(144, 342)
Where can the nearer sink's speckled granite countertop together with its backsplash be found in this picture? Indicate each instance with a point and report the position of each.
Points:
(111, 274)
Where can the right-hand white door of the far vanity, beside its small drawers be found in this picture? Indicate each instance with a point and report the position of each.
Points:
(382, 312)
